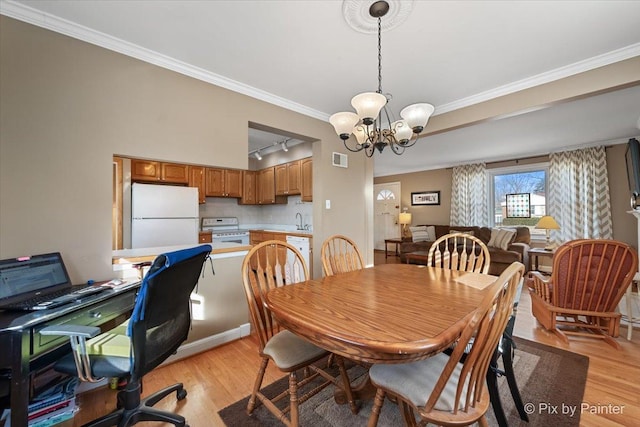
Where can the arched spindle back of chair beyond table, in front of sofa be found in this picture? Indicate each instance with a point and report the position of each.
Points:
(459, 251)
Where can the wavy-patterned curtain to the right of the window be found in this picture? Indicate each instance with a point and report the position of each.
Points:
(579, 195)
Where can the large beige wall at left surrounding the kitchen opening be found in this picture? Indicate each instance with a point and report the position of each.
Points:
(66, 107)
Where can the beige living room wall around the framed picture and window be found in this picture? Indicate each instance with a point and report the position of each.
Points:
(624, 224)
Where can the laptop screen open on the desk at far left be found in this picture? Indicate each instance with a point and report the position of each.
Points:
(30, 276)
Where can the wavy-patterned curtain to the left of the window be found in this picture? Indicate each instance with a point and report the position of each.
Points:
(469, 195)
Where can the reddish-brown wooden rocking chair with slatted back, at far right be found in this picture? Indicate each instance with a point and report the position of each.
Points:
(588, 279)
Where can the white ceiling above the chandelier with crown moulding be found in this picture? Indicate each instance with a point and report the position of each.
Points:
(302, 55)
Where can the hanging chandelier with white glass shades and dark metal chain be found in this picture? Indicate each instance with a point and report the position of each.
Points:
(372, 126)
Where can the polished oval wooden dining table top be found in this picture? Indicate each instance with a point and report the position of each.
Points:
(390, 313)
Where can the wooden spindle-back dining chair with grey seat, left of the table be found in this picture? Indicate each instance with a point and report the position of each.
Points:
(266, 266)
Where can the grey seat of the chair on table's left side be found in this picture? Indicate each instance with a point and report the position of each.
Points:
(288, 351)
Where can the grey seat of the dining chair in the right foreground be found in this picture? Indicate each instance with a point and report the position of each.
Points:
(415, 381)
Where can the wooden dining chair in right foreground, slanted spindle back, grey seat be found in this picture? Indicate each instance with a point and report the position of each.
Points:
(440, 389)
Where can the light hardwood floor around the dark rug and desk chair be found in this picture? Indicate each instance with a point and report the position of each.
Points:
(223, 375)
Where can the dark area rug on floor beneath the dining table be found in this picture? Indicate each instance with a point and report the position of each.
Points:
(551, 382)
